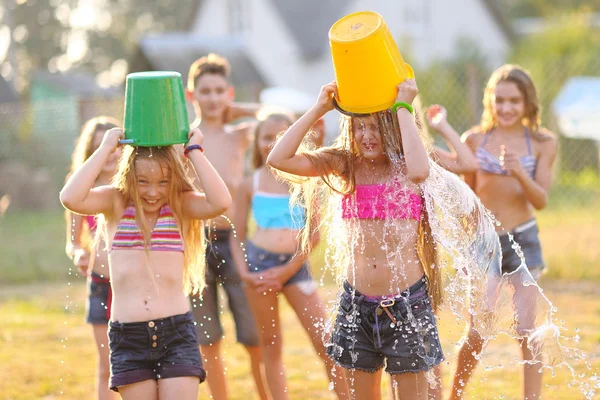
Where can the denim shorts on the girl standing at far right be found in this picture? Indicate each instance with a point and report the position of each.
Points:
(526, 235)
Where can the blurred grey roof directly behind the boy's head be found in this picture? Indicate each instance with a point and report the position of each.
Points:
(177, 51)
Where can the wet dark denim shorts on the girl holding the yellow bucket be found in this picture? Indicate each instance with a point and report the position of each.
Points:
(365, 336)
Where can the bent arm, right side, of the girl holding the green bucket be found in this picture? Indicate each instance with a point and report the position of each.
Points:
(216, 198)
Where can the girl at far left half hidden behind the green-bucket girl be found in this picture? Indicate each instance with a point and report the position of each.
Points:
(89, 255)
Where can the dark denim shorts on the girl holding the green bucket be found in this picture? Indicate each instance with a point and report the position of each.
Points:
(158, 349)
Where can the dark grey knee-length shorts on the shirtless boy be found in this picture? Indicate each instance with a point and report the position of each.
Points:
(207, 310)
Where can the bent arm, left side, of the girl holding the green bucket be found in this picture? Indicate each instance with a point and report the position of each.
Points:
(79, 195)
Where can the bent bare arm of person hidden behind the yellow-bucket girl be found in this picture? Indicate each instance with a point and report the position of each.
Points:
(460, 160)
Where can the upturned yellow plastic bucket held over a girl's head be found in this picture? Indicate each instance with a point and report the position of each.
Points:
(367, 63)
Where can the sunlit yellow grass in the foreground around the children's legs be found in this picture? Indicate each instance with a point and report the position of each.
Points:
(48, 352)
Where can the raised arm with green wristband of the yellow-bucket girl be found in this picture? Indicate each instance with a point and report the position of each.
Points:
(417, 162)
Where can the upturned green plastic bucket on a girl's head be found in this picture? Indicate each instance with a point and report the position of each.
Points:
(155, 110)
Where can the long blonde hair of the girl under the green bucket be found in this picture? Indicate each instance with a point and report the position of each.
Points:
(180, 182)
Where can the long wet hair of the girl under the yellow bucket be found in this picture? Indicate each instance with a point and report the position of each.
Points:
(335, 165)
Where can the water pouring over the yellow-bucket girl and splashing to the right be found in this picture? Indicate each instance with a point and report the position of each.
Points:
(467, 247)
